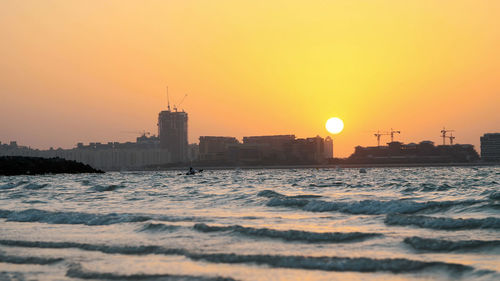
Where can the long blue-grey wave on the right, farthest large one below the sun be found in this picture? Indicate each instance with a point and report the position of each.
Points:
(368, 207)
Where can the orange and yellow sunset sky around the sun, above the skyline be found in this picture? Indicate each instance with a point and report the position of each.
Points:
(97, 71)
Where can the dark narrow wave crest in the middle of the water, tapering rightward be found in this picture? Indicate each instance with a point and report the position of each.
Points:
(290, 235)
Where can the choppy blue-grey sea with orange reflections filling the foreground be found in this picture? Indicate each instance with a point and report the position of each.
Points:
(267, 224)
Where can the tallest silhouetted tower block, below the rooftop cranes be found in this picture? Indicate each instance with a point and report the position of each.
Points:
(172, 131)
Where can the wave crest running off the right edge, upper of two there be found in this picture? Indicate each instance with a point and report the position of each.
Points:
(442, 223)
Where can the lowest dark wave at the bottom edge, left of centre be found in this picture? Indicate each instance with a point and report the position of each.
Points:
(76, 271)
